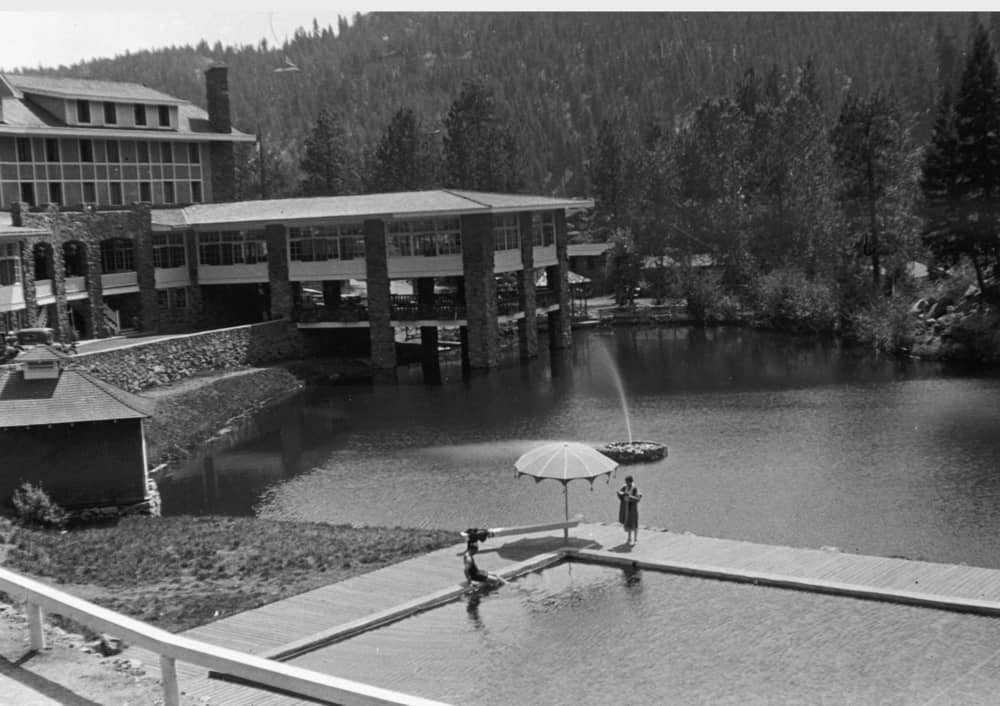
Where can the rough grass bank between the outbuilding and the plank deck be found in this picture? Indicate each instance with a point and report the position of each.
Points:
(181, 572)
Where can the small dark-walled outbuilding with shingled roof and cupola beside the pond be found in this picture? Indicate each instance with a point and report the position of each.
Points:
(79, 437)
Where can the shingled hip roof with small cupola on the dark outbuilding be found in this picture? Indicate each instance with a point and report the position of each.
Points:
(75, 396)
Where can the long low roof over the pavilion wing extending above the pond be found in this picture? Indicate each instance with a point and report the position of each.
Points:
(404, 204)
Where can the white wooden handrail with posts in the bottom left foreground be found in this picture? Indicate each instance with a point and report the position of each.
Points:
(171, 647)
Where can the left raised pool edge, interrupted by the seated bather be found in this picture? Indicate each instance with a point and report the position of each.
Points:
(401, 611)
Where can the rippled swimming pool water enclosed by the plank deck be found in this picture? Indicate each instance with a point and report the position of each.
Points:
(586, 634)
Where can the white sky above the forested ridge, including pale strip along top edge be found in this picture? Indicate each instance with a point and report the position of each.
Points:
(54, 32)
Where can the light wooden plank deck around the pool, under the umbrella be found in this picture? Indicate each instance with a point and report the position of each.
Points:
(290, 627)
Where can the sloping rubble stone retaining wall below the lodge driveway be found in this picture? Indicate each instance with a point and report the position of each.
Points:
(141, 365)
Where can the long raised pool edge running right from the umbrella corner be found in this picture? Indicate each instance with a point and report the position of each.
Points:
(761, 578)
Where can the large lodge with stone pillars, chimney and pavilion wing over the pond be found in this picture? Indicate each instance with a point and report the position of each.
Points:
(121, 216)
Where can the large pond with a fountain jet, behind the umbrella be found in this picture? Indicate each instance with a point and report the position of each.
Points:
(771, 439)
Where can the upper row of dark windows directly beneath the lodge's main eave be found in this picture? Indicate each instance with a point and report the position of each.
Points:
(106, 151)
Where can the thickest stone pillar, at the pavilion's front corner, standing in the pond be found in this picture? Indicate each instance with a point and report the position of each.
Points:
(480, 290)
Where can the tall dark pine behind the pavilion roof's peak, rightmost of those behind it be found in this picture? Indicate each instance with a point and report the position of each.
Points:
(480, 150)
